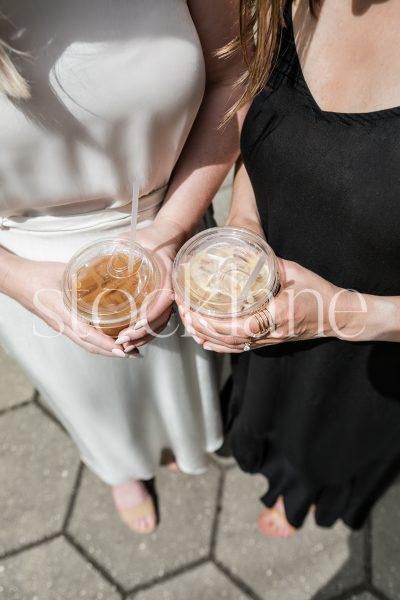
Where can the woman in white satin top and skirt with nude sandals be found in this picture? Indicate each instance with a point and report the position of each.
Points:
(107, 93)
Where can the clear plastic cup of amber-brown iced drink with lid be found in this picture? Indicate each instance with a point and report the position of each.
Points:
(100, 289)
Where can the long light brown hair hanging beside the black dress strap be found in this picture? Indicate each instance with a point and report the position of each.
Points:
(261, 23)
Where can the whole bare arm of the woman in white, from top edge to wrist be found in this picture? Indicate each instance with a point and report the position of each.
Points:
(210, 150)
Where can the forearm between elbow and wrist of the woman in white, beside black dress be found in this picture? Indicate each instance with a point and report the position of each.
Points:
(205, 161)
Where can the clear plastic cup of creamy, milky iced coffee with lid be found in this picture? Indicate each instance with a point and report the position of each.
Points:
(212, 269)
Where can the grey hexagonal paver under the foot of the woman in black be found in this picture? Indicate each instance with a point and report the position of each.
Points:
(316, 561)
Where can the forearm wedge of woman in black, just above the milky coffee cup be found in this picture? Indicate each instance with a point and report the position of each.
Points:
(243, 211)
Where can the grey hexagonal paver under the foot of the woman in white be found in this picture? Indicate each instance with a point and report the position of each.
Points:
(187, 506)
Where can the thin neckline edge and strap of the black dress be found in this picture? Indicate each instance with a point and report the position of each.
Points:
(343, 116)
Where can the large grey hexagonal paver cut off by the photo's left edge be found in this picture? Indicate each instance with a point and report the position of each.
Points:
(37, 469)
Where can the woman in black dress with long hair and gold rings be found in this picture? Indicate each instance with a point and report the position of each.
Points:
(320, 418)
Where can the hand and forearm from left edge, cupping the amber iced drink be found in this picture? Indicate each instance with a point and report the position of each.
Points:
(38, 287)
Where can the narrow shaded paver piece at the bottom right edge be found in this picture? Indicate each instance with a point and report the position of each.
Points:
(386, 543)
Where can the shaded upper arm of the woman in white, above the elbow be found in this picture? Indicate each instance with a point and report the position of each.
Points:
(217, 23)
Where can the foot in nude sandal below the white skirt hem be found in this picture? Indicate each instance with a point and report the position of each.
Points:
(135, 506)
